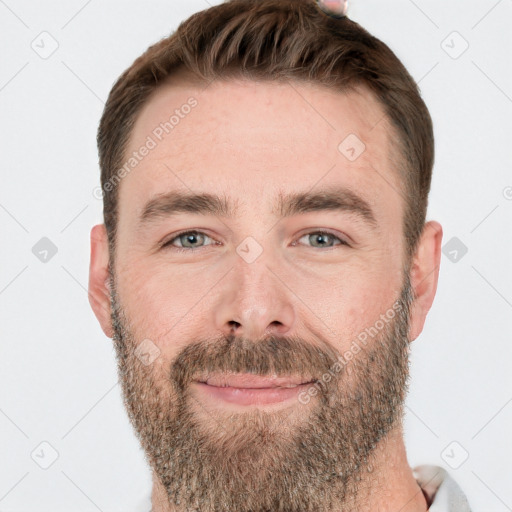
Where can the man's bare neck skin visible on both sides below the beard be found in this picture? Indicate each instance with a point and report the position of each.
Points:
(389, 487)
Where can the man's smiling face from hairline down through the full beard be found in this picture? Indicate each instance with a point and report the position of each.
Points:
(290, 290)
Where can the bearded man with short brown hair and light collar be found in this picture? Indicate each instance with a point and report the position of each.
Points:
(265, 262)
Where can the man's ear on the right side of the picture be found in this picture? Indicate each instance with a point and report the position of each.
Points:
(424, 275)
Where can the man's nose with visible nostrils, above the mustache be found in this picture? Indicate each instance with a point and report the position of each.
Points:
(255, 302)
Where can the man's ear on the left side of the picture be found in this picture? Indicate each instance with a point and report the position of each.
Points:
(99, 289)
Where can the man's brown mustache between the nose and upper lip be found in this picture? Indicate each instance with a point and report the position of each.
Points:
(272, 355)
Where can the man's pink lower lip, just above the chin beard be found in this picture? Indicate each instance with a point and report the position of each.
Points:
(251, 396)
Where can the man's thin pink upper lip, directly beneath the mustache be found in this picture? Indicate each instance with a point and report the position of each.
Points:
(251, 381)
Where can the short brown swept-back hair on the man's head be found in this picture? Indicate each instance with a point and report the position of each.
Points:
(277, 40)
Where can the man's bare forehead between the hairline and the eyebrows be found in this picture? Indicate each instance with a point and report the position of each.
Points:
(255, 139)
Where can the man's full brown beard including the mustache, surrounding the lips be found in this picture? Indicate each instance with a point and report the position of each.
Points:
(306, 457)
